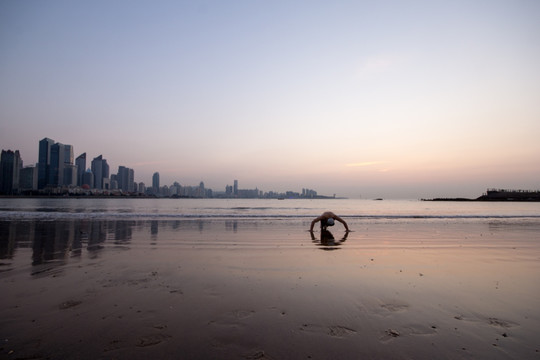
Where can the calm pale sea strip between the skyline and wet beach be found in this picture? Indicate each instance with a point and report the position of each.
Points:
(368, 210)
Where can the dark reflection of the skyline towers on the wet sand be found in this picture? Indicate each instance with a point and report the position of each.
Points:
(55, 242)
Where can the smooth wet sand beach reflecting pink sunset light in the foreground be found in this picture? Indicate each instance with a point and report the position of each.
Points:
(256, 289)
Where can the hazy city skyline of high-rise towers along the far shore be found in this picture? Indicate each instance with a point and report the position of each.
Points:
(57, 172)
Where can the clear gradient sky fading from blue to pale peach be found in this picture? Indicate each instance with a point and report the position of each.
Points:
(393, 99)
